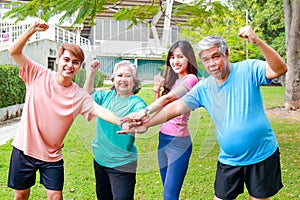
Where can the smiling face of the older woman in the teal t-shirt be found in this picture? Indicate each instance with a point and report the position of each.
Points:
(124, 81)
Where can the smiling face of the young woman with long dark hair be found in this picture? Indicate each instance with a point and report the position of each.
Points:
(179, 62)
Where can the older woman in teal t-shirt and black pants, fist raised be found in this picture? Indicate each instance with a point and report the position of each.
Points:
(115, 155)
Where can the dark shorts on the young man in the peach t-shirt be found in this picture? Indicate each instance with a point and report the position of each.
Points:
(22, 172)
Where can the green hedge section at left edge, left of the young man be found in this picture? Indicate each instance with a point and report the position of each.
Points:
(12, 88)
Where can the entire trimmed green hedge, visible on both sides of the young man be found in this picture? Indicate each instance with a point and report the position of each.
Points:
(12, 88)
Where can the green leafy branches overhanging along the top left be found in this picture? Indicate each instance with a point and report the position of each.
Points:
(82, 9)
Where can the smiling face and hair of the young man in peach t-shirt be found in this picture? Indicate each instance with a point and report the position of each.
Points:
(68, 66)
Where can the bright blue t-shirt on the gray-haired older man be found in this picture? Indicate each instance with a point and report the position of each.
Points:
(236, 107)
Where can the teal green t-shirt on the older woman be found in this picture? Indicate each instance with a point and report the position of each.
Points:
(111, 149)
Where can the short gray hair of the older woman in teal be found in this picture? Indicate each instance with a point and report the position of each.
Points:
(133, 67)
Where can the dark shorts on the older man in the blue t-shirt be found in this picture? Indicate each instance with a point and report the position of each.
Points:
(262, 179)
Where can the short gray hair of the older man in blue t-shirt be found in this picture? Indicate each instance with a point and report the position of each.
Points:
(212, 41)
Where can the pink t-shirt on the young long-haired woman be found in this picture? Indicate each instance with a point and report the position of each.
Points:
(178, 126)
